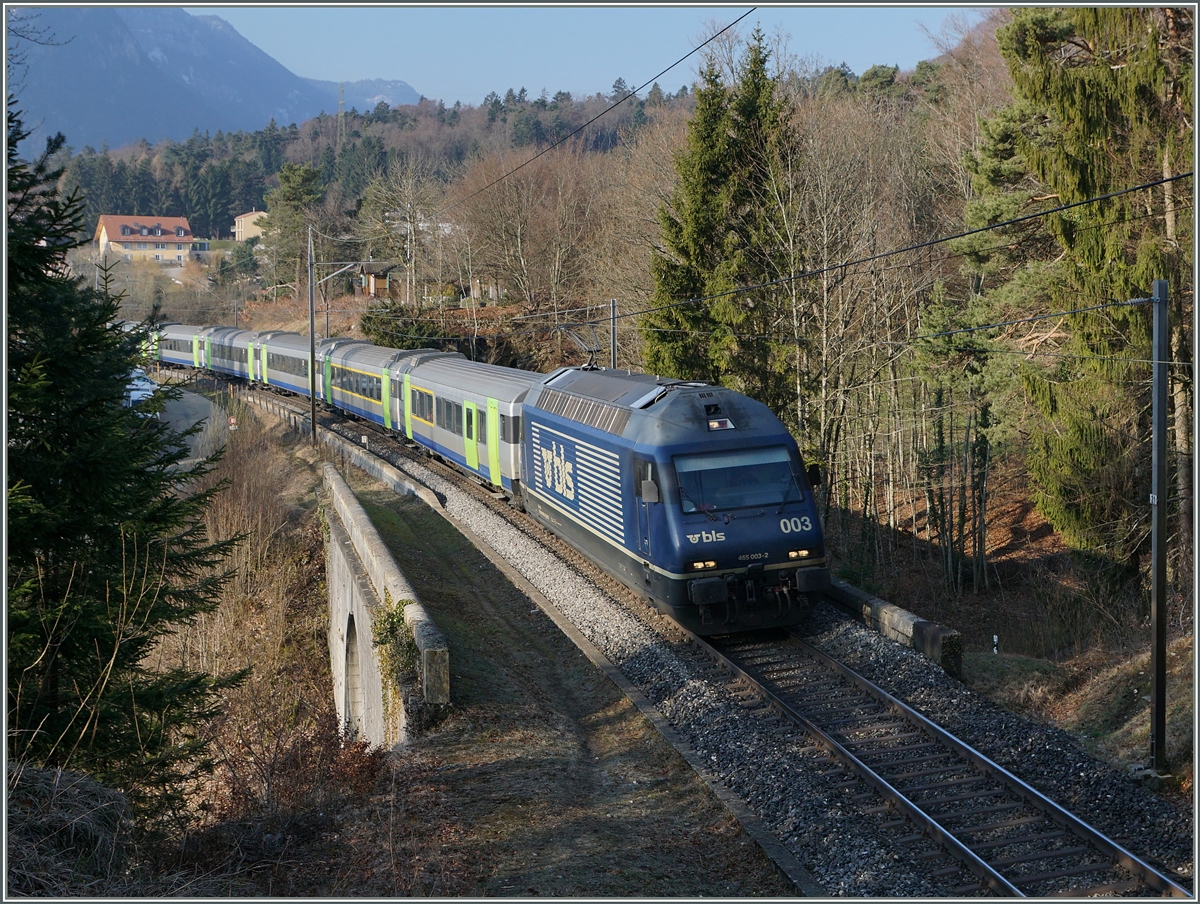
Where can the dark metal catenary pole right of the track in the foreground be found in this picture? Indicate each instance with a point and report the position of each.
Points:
(1159, 536)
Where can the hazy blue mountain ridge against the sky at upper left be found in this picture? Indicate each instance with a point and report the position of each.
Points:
(113, 76)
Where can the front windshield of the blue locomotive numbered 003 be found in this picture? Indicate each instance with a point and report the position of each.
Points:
(742, 478)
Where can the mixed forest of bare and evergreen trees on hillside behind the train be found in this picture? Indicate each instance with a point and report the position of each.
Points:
(778, 228)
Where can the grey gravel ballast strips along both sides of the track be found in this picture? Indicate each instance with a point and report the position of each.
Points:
(788, 782)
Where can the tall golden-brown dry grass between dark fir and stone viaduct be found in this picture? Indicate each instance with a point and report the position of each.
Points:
(281, 764)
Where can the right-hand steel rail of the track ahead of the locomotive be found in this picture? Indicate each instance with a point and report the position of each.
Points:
(1069, 821)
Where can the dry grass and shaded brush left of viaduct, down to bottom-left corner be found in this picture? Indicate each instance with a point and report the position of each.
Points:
(280, 768)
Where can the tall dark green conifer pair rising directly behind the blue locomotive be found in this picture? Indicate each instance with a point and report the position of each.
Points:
(719, 236)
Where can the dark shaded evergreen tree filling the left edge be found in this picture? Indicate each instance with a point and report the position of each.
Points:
(107, 552)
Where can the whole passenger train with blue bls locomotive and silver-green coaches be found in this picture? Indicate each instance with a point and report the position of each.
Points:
(692, 495)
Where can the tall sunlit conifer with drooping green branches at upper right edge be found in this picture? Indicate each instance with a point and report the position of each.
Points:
(1102, 100)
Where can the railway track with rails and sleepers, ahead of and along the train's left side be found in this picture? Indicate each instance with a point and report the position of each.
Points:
(973, 825)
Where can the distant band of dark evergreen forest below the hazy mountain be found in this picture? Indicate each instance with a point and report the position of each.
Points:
(213, 179)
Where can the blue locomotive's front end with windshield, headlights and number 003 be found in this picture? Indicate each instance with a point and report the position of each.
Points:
(727, 513)
